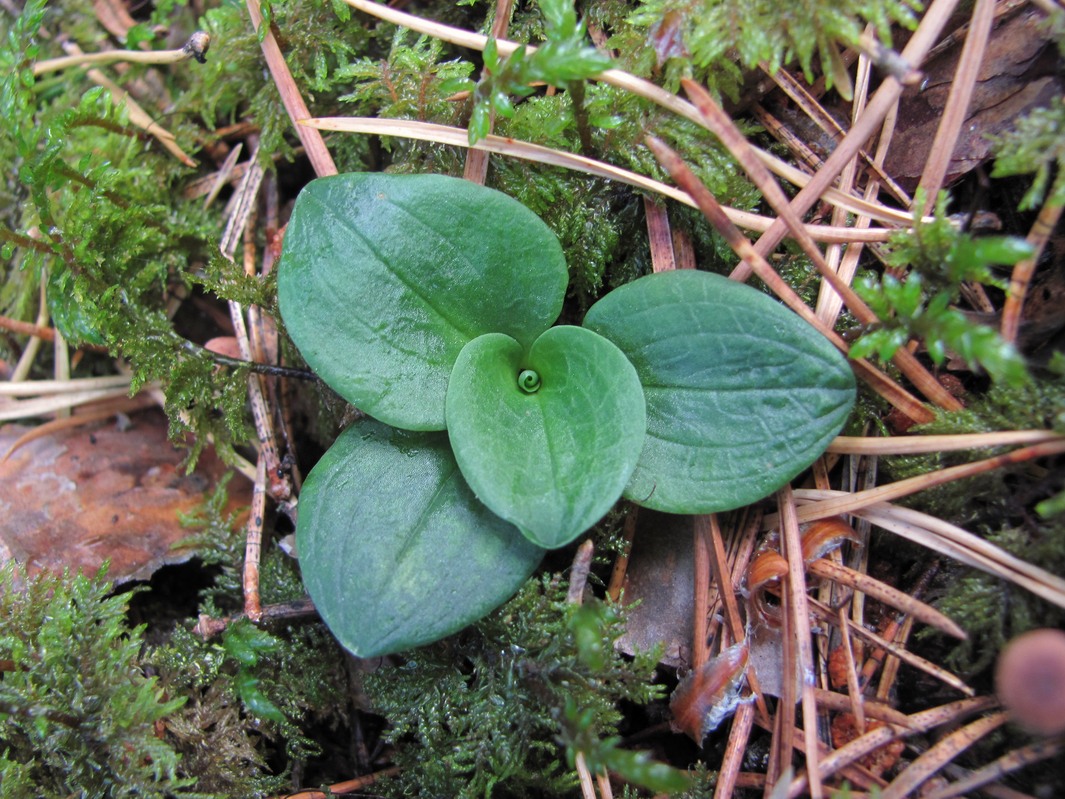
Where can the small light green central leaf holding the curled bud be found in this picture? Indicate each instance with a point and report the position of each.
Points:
(549, 438)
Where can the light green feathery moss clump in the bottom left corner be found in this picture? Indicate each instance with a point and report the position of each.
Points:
(77, 712)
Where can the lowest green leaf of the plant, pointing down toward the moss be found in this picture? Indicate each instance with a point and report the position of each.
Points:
(395, 549)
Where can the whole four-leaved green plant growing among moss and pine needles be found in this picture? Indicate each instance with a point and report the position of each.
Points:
(429, 303)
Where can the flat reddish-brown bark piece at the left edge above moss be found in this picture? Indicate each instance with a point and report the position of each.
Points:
(104, 492)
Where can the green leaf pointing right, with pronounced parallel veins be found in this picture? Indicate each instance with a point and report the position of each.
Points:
(742, 394)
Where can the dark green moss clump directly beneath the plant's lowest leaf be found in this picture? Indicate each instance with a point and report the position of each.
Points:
(480, 714)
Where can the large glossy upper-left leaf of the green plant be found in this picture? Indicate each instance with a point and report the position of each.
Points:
(385, 279)
